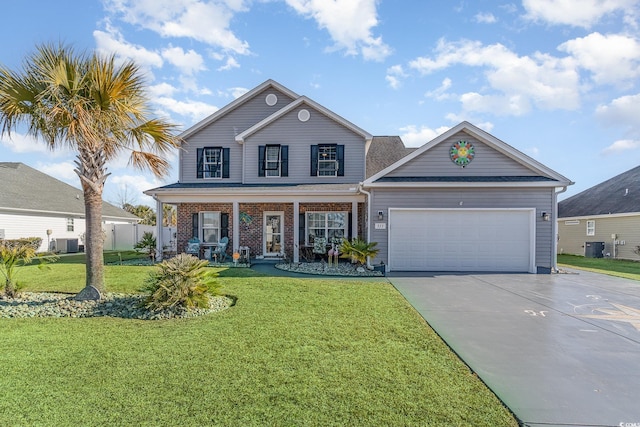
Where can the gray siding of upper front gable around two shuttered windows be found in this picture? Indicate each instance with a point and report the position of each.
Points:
(300, 136)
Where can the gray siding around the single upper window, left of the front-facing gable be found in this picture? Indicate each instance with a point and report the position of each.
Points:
(222, 133)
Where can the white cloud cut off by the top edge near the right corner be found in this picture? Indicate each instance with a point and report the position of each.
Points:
(577, 13)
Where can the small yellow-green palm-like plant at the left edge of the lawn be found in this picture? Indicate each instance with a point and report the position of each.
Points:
(14, 253)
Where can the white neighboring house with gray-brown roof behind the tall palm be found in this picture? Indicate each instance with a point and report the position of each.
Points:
(33, 204)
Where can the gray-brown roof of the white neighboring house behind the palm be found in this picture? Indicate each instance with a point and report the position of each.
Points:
(28, 189)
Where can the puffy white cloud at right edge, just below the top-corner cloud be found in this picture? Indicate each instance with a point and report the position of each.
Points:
(612, 58)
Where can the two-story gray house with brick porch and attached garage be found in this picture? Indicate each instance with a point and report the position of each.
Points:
(275, 171)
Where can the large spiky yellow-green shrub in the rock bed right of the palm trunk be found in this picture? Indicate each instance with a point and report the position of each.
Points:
(183, 281)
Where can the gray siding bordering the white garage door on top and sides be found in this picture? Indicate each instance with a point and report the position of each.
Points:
(540, 199)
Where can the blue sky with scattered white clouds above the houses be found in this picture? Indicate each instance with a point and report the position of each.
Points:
(556, 79)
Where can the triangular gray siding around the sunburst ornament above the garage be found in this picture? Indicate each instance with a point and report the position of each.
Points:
(487, 162)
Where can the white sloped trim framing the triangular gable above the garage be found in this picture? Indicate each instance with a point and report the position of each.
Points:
(553, 178)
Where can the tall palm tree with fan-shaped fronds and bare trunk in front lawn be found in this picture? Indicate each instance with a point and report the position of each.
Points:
(88, 103)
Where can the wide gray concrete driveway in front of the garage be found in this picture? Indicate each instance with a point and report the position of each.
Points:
(561, 349)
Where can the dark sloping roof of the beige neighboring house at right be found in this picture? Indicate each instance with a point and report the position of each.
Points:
(620, 194)
